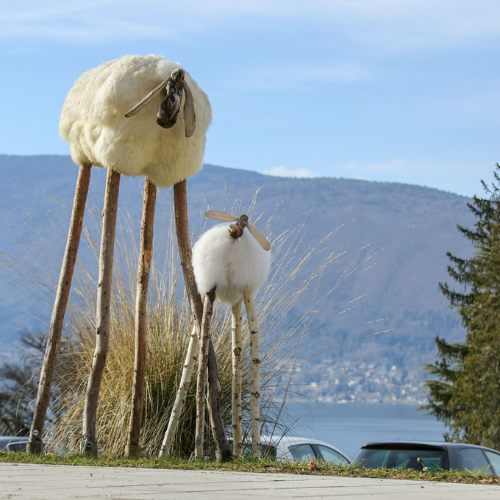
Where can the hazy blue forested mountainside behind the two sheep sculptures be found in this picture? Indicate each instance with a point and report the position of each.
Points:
(407, 228)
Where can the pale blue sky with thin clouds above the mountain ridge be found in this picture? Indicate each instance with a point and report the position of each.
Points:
(385, 90)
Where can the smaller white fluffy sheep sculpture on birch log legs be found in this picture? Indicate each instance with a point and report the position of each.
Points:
(231, 263)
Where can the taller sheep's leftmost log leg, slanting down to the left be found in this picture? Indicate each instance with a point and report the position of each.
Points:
(35, 444)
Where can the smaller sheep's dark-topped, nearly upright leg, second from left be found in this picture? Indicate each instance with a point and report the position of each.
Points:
(202, 373)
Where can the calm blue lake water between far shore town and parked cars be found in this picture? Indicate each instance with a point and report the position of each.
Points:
(350, 426)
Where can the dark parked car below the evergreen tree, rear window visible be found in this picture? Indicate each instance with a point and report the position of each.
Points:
(429, 455)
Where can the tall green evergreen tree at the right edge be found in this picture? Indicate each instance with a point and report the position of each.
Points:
(467, 394)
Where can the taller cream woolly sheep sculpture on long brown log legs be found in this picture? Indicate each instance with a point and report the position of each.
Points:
(165, 142)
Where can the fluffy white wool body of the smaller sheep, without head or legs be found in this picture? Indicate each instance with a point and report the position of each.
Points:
(231, 265)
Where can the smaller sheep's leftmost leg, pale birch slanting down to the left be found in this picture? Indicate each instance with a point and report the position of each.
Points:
(180, 398)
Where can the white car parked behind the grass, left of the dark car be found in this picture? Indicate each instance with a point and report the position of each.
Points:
(291, 448)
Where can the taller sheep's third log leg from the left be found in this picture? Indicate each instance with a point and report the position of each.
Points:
(146, 249)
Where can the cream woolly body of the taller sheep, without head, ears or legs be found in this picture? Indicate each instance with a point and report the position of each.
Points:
(93, 121)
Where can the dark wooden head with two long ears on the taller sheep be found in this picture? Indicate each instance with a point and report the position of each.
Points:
(177, 91)
